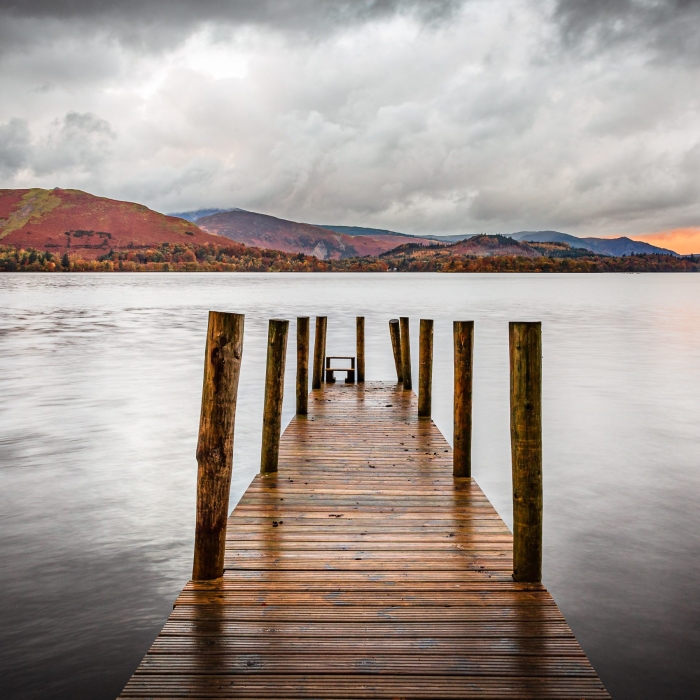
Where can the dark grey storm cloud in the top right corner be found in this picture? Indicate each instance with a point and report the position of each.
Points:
(669, 28)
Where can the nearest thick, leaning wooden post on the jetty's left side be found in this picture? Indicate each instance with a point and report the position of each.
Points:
(222, 367)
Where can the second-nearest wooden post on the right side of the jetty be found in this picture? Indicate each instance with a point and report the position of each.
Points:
(463, 332)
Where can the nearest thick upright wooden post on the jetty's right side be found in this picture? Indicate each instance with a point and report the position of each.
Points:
(526, 448)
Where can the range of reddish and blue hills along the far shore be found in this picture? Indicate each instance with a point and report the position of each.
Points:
(75, 222)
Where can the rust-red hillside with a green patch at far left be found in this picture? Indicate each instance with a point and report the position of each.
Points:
(75, 222)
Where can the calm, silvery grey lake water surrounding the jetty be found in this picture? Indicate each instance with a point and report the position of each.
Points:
(99, 408)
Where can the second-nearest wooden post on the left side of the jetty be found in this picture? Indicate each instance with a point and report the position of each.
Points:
(274, 394)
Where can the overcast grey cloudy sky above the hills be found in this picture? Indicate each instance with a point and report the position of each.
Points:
(424, 116)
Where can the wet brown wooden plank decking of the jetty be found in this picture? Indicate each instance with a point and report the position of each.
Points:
(363, 569)
